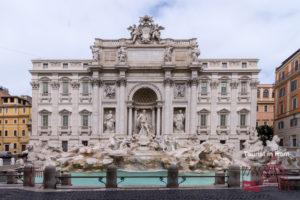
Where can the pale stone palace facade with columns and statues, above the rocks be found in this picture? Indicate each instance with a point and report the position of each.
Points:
(143, 85)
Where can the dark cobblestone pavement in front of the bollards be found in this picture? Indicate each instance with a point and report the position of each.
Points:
(177, 194)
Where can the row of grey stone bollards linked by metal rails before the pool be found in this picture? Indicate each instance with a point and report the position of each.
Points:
(52, 178)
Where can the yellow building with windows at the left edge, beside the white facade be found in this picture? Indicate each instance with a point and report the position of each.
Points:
(15, 123)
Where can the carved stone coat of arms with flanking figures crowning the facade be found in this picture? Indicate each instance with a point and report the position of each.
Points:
(146, 31)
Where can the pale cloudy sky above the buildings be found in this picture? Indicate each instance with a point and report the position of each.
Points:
(56, 29)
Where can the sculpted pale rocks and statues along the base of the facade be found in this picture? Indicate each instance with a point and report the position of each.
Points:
(159, 153)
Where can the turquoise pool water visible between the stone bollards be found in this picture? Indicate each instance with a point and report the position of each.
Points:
(143, 181)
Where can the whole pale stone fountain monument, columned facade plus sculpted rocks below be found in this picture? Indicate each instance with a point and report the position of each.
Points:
(146, 103)
